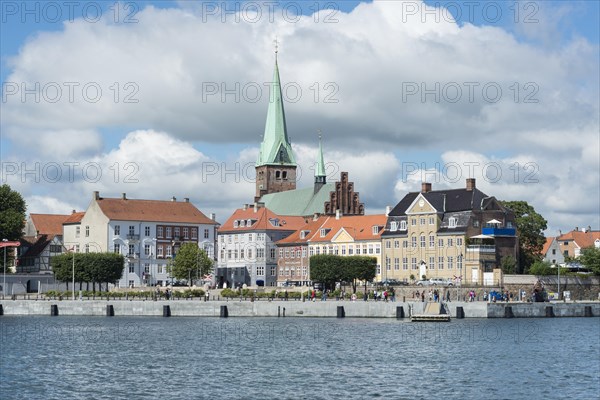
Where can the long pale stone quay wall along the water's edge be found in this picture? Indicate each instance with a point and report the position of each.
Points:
(297, 308)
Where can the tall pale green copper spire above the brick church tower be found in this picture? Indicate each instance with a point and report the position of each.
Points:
(275, 147)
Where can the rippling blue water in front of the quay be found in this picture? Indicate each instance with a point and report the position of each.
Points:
(298, 358)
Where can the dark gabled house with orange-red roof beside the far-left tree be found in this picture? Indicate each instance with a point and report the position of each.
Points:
(42, 239)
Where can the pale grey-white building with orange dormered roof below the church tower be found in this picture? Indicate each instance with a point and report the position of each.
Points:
(247, 254)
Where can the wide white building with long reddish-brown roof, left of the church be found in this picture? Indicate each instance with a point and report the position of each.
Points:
(147, 232)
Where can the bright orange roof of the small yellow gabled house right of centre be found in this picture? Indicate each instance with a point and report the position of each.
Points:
(357, 226)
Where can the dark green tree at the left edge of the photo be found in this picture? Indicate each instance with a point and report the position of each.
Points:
(12, 218)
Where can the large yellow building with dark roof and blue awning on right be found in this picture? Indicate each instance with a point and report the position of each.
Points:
(457, 233)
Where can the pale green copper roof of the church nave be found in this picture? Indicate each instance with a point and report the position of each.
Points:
(302, 202)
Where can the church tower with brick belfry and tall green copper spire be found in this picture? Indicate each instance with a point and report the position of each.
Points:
(276, 164)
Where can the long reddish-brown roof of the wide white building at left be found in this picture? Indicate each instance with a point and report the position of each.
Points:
(152, 211)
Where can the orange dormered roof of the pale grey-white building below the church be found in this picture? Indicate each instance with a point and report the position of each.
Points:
(262, 219)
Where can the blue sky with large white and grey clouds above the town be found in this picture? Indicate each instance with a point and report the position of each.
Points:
(163, 99)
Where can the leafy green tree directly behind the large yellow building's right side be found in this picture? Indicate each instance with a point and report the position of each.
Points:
(530, 231)
